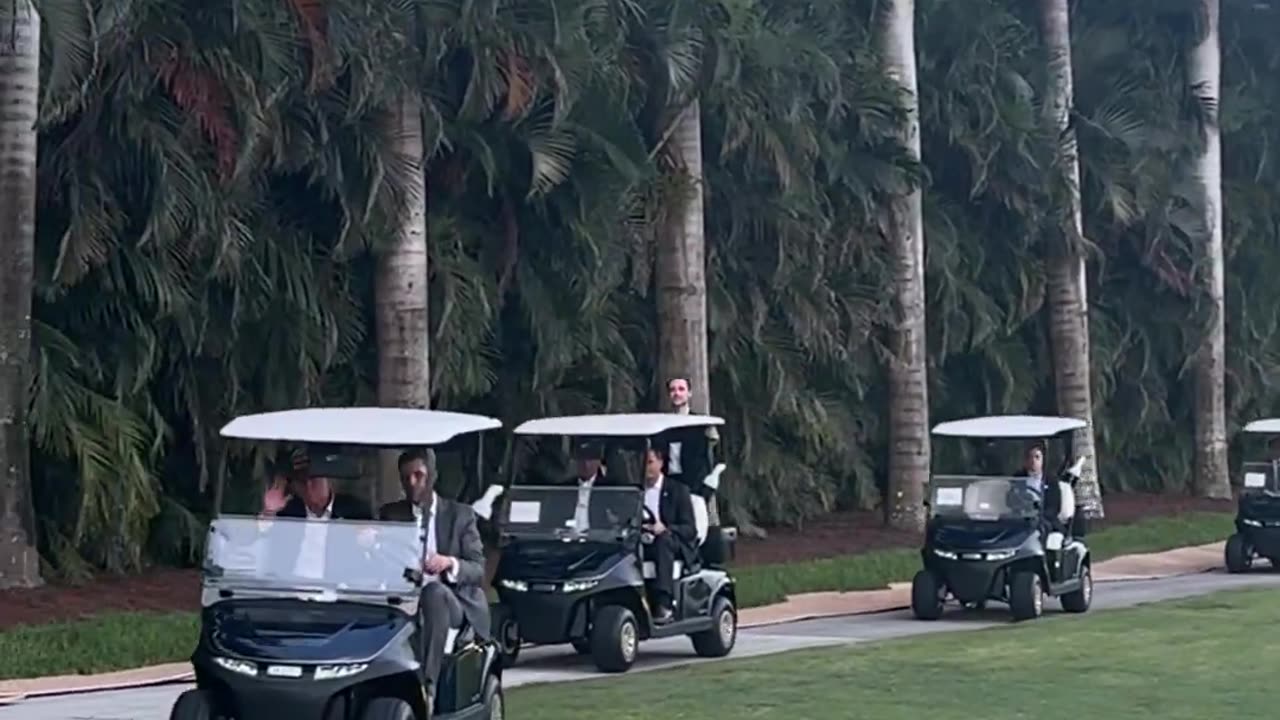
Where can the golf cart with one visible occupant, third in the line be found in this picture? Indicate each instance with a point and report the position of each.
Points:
(988, 537)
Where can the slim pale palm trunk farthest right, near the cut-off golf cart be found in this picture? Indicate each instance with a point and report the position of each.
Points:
(1205, 75)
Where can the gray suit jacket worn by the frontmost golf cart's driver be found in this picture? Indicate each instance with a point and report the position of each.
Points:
(456, 536)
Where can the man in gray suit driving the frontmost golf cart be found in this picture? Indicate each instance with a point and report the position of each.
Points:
(454, 564)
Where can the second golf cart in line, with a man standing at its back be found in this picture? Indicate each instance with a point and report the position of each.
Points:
(566, 580)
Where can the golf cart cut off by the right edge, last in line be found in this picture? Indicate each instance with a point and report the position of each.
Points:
(1258, 516)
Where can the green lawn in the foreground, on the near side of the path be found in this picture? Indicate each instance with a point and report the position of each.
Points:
(1215, 657)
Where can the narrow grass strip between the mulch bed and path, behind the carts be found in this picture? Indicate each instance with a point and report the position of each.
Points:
(121, 641)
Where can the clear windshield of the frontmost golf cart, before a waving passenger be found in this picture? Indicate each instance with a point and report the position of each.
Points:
(340, 557)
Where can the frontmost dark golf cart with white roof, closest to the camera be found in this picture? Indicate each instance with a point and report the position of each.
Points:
(319, 619)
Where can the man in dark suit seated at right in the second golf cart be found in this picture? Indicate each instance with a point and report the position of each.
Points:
(674, 530)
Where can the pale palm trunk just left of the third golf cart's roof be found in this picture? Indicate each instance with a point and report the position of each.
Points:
(904, 229)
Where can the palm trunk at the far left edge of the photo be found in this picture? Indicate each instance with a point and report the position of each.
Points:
(20, 95)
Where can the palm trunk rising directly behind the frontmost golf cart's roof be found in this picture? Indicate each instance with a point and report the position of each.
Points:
(401, 294)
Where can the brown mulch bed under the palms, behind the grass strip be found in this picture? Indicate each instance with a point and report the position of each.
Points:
(843, 534)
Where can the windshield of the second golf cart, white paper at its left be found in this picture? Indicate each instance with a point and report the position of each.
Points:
(556, 512)
